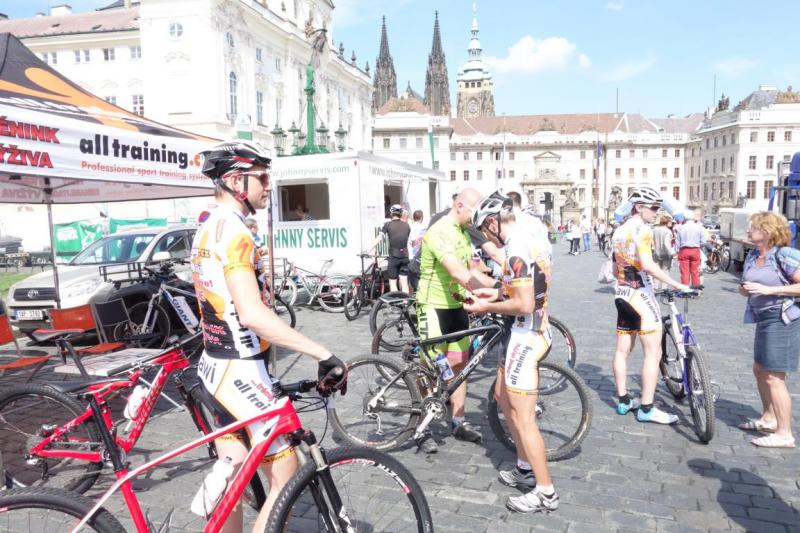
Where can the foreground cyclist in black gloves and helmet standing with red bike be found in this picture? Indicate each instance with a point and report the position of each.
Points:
(238, 325)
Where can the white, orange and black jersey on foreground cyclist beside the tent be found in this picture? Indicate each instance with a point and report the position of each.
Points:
(221, 247)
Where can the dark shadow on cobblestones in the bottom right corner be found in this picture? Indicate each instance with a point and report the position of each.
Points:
(755, 501)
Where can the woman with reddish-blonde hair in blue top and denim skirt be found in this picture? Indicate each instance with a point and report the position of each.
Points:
(771, 282)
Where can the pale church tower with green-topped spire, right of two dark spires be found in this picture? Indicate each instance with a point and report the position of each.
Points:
(475, 92)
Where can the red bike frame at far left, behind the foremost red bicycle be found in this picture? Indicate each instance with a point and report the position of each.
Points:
(172, 361)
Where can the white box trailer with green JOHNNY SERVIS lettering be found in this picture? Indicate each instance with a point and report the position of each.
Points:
(330, 206)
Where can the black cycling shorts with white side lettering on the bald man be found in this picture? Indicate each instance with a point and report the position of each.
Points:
(433, 322)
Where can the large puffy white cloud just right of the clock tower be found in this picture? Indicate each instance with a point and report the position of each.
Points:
(529, 55)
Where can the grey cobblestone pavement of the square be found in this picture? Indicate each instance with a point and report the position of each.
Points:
(626, 477)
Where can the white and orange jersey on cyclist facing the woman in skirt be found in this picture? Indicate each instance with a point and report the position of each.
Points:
(632, 241)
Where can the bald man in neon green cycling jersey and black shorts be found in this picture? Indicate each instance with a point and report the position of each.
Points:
(445, 273)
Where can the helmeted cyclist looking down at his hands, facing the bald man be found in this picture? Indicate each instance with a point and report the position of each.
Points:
(523, 296)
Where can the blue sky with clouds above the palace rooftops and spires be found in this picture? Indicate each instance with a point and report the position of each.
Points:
(561, 56)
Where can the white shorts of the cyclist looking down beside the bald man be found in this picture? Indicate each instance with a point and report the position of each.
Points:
(520, 361)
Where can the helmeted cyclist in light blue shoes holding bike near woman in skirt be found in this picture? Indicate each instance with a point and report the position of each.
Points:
(637, 309)
